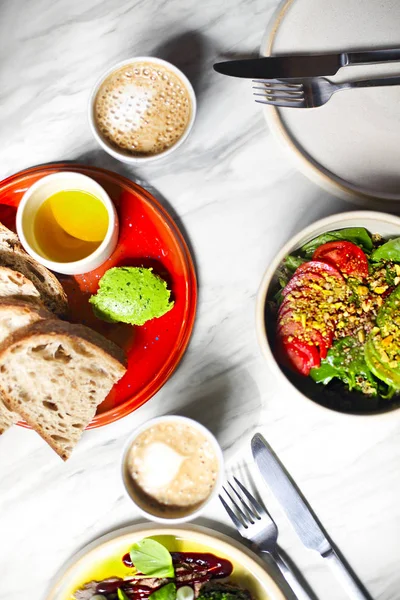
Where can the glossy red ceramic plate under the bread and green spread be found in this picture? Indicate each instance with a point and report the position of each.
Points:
(148, 237)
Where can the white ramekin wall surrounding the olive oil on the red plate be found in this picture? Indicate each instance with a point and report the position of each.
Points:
(41, 191)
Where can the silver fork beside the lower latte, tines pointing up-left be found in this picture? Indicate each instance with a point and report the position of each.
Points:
(255, 524)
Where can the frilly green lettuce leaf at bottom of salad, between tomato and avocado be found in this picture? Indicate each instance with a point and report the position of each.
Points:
(346, 361)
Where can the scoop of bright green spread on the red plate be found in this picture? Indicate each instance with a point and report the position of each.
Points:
(131, 295)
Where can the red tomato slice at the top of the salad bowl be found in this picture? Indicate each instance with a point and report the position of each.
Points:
(345, 256)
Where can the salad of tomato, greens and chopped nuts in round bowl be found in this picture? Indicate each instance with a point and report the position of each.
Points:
(337, 314)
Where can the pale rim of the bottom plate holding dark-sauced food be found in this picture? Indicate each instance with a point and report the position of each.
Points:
(152, 529)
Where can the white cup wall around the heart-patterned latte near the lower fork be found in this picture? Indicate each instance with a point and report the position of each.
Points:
(127, 480)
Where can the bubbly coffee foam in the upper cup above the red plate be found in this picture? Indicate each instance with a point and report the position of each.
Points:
(142, 109)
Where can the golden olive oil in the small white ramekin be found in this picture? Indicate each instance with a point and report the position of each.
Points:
(70, 225)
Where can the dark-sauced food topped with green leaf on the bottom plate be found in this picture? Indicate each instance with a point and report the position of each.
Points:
(158, 574)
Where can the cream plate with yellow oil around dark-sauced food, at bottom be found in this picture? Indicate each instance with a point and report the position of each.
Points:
(102, 559)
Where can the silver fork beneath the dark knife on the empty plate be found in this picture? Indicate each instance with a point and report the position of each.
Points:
(309, 93)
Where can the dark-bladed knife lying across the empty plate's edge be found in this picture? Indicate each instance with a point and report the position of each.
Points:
(303, 65)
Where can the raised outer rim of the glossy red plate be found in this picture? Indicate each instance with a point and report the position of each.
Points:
(114, 414)
